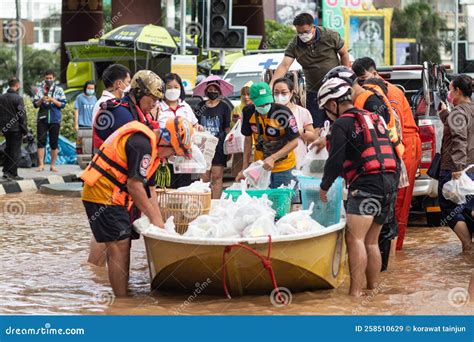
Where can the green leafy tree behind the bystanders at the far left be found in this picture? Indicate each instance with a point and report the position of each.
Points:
(35, 63)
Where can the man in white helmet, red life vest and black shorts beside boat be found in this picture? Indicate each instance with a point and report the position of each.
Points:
(361, 151)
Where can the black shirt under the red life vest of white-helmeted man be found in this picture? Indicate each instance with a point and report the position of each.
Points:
(346, 144)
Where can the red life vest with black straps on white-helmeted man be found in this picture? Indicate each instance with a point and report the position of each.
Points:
(377, 154)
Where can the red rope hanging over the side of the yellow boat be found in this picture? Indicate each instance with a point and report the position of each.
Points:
(266, 262)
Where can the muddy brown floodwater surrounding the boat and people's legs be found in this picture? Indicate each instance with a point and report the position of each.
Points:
(44, 245)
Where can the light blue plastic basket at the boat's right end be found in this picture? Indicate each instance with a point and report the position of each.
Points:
(328, 213)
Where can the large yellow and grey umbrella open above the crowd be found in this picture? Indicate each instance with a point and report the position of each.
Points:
(149, 38)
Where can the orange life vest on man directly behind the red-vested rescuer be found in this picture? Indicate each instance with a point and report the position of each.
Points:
(394, 126)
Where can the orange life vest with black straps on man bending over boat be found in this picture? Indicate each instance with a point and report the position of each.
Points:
(108, 163)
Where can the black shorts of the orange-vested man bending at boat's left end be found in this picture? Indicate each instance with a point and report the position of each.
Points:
(109, 223)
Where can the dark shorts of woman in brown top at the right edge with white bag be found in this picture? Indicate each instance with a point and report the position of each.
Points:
(451, 212)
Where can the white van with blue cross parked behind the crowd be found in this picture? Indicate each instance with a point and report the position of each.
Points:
(252, 68)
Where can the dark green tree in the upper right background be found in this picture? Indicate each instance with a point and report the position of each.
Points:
(417, 20)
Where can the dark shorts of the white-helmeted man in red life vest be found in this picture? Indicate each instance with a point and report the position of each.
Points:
(364, 203)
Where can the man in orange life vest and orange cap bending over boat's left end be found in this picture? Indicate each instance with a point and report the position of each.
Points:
(122, 173)
